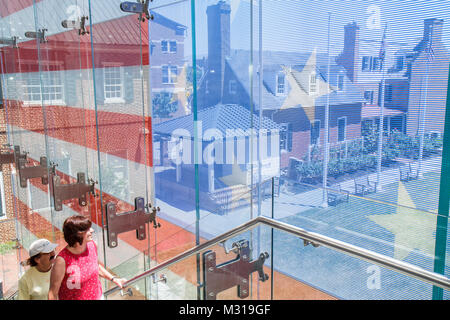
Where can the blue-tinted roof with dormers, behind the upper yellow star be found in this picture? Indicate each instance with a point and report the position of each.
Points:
(273, 62)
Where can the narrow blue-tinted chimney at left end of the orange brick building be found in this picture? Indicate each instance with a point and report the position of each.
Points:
(349, 55)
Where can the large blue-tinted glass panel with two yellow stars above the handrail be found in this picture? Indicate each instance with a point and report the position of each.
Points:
(384, 68)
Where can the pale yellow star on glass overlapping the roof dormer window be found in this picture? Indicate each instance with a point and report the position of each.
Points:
(306, 87)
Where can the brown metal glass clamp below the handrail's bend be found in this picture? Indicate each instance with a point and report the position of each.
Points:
(232, 273)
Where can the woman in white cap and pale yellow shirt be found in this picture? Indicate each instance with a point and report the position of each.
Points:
(35, 282)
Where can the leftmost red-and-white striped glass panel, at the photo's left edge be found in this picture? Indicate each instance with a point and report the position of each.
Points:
(22, 117)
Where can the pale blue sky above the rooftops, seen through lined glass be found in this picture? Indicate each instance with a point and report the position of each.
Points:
(301, 26)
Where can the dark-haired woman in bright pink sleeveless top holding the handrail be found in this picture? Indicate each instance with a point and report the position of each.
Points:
(75, 274)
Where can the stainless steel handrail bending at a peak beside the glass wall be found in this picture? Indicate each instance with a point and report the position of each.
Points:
(370, 256)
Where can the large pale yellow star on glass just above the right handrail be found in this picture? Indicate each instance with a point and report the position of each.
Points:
(412, 229)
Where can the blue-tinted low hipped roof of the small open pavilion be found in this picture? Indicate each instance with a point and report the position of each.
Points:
(222, 117)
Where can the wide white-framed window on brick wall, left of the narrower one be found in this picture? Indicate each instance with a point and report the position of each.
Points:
(40, 86)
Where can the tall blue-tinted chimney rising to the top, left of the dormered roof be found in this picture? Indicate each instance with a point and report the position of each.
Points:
(218, 47)
